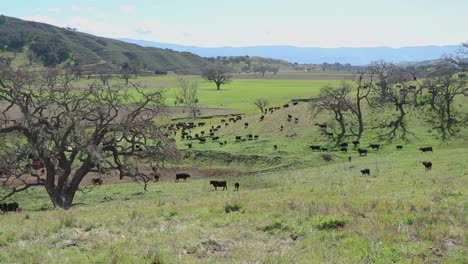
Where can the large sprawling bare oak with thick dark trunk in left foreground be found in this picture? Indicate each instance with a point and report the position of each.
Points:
(74, 132)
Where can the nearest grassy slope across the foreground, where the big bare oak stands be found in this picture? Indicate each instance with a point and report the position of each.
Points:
(323, 214)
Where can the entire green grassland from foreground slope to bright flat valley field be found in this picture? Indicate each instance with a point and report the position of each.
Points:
(292, 206)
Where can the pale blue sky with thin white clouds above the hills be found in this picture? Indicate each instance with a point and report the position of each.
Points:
(214, 23)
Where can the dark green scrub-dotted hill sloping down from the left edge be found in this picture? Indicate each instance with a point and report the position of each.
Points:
(39, 43)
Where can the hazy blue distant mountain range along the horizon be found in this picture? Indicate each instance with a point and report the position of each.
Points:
(353, 56)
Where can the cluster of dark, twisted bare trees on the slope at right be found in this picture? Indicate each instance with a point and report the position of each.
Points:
(384, 95)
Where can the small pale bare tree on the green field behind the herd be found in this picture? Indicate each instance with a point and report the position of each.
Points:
(187, 94)
